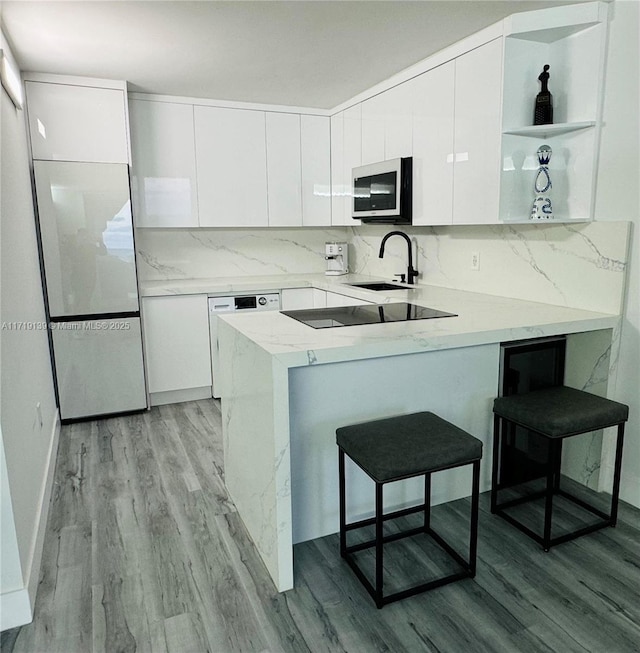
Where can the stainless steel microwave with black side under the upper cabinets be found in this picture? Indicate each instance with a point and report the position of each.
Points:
(382, 192)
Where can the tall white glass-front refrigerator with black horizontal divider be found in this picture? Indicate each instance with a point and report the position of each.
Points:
(89, 275)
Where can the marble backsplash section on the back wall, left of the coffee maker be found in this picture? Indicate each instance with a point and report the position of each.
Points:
(206, 253)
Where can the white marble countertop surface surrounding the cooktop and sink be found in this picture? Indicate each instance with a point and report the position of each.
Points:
(481, 319)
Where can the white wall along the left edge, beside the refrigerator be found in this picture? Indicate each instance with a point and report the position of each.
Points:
(28, 444)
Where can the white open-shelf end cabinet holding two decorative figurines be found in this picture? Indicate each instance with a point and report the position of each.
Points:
(572, 41)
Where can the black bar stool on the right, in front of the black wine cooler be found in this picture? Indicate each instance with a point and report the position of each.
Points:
(555, 414)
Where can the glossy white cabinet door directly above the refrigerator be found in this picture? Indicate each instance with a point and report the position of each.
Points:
(77, 123)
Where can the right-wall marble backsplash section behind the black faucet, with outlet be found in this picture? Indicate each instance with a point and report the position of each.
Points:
(580, 265)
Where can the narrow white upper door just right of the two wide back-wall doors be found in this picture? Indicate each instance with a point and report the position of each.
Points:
(284, 174)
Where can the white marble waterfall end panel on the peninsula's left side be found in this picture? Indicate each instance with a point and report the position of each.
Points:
(256, 448)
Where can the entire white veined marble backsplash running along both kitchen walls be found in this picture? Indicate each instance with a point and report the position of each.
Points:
(580, 265)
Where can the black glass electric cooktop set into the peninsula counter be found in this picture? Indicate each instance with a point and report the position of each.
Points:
(325, 318)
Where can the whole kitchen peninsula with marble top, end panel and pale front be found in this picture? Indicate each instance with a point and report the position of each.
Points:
(287, 386)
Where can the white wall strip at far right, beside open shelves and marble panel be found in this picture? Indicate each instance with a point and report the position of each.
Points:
(618, 198)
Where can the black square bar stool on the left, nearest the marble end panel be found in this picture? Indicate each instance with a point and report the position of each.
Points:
(399, 448)
